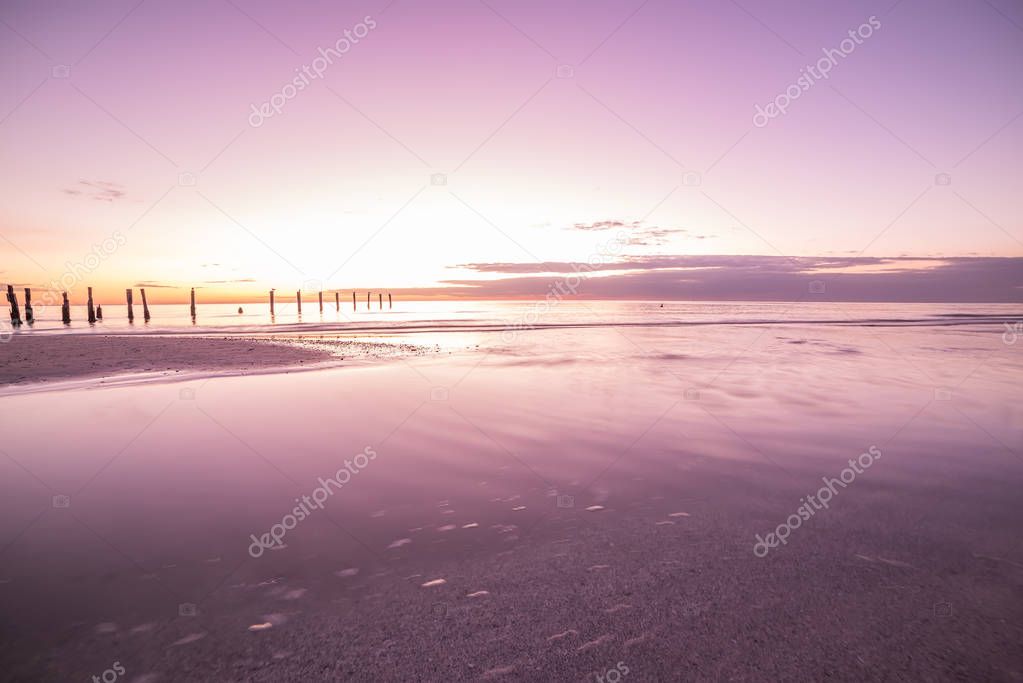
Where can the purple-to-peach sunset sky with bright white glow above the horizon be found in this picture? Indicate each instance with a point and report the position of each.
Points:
(482, 148)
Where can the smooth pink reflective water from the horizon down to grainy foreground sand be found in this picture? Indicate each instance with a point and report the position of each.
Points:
(494, 449)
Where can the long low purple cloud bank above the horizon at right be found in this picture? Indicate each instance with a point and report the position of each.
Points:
(728, 278)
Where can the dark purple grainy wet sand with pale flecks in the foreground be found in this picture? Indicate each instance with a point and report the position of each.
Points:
(570, 597)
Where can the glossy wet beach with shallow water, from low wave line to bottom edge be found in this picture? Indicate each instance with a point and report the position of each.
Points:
(556, 505)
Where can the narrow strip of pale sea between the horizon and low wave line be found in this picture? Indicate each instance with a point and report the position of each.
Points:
(515, 315)
